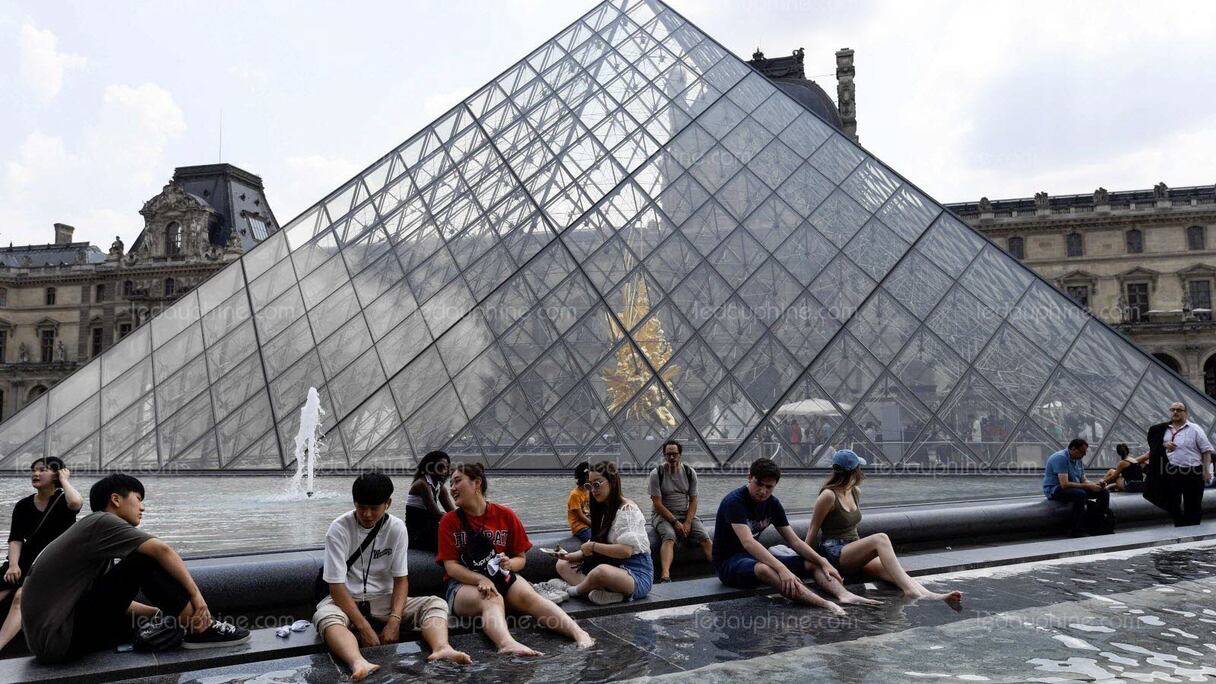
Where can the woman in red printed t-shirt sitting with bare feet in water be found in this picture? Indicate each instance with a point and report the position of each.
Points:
(482, 548)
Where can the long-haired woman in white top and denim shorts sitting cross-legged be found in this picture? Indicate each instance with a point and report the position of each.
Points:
(617, 562)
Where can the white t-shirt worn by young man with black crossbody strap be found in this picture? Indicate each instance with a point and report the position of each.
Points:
(381, 562)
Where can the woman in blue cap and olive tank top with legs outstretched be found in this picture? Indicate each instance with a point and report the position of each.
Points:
(838, 513)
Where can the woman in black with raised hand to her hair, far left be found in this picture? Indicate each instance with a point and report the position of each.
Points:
(37, 520)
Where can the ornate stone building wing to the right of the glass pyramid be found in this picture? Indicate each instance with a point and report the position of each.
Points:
(1144, 261)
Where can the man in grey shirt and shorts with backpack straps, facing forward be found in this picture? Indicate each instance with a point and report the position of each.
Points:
(673, 489)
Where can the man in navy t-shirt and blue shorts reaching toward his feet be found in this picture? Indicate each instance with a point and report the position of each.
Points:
(744, 563)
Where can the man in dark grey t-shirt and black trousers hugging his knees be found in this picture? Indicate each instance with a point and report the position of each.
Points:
(80, 596)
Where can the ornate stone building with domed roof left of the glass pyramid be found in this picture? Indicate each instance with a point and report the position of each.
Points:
(64, 304)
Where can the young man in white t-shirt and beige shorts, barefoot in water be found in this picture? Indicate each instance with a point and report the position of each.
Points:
(375, 586)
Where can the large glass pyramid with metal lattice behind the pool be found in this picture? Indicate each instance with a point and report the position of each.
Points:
(629, 236)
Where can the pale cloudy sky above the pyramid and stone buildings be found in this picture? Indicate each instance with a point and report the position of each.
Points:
(103, 100)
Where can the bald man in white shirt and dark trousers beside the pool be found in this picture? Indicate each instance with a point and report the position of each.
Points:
(1190, 462)
